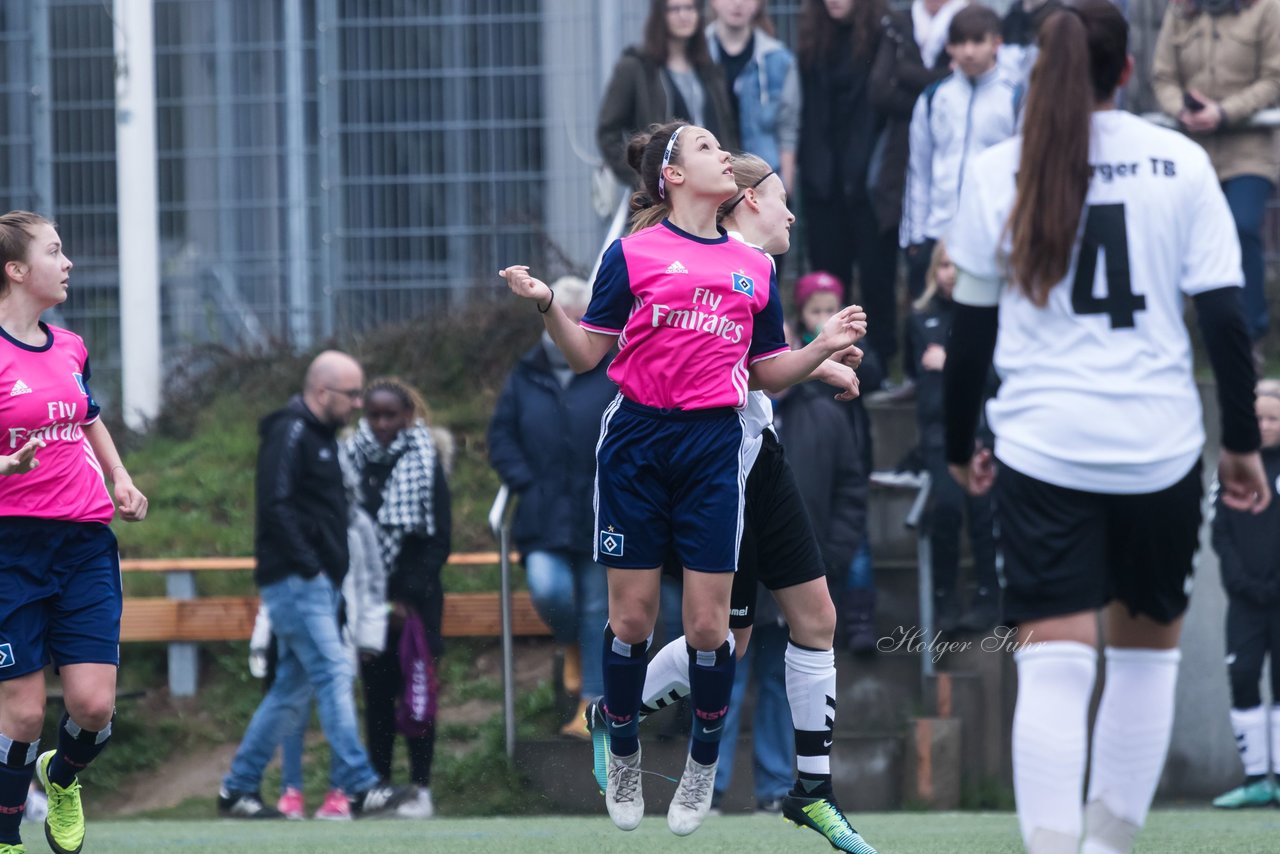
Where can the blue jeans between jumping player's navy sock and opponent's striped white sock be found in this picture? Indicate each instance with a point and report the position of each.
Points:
(774, 734)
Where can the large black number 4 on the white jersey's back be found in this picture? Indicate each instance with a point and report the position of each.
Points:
(1105, 229)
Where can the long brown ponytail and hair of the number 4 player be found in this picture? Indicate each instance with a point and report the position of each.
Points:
(1082, 57)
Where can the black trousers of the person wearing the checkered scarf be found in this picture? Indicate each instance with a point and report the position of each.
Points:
(383, 686)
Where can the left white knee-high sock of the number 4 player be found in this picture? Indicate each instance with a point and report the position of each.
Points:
(1055, 684)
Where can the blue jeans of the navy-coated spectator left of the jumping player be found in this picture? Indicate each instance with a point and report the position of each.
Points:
(572, 593)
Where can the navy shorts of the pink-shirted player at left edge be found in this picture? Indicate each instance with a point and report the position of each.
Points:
(61, 601)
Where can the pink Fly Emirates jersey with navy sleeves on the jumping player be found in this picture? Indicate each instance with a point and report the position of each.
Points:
(691, 313)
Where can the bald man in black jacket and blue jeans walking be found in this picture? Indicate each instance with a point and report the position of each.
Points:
(301, 549)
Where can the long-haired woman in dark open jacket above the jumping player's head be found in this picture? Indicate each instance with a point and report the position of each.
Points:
(671, 76)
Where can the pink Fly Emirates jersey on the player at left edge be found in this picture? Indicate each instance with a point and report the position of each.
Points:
(44, 394)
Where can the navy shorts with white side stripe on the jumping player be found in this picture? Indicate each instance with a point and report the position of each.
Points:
(670, 481)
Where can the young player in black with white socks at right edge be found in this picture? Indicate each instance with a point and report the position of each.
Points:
(1249, 549)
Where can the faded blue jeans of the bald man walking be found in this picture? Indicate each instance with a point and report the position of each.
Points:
(313, 660)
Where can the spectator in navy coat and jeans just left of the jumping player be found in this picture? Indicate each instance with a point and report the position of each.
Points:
(542, 444)
